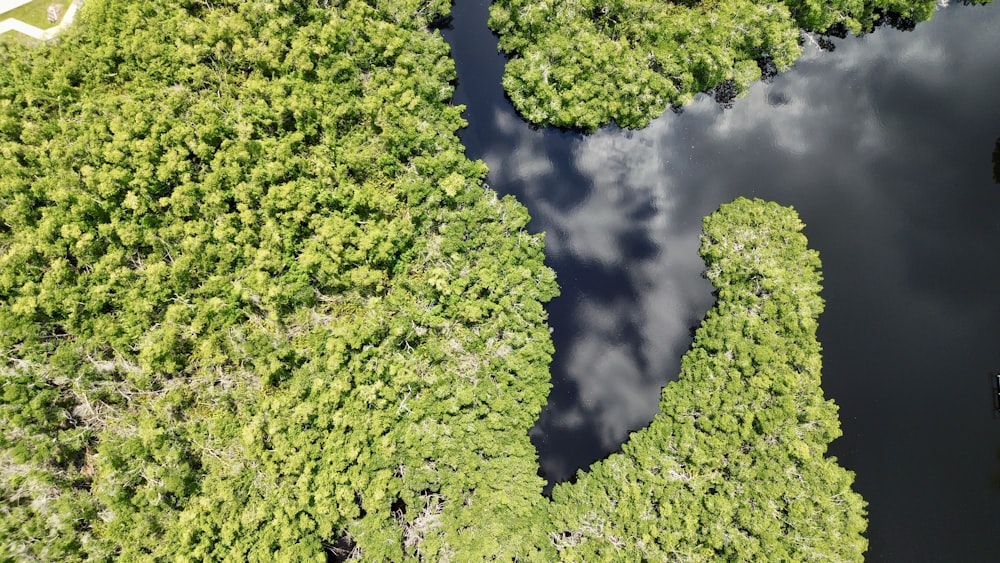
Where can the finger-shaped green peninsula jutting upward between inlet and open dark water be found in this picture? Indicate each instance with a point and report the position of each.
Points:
(733, 468)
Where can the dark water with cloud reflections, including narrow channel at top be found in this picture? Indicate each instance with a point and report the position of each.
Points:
(884, 147)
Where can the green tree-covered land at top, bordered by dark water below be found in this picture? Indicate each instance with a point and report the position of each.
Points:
(586, 63)
